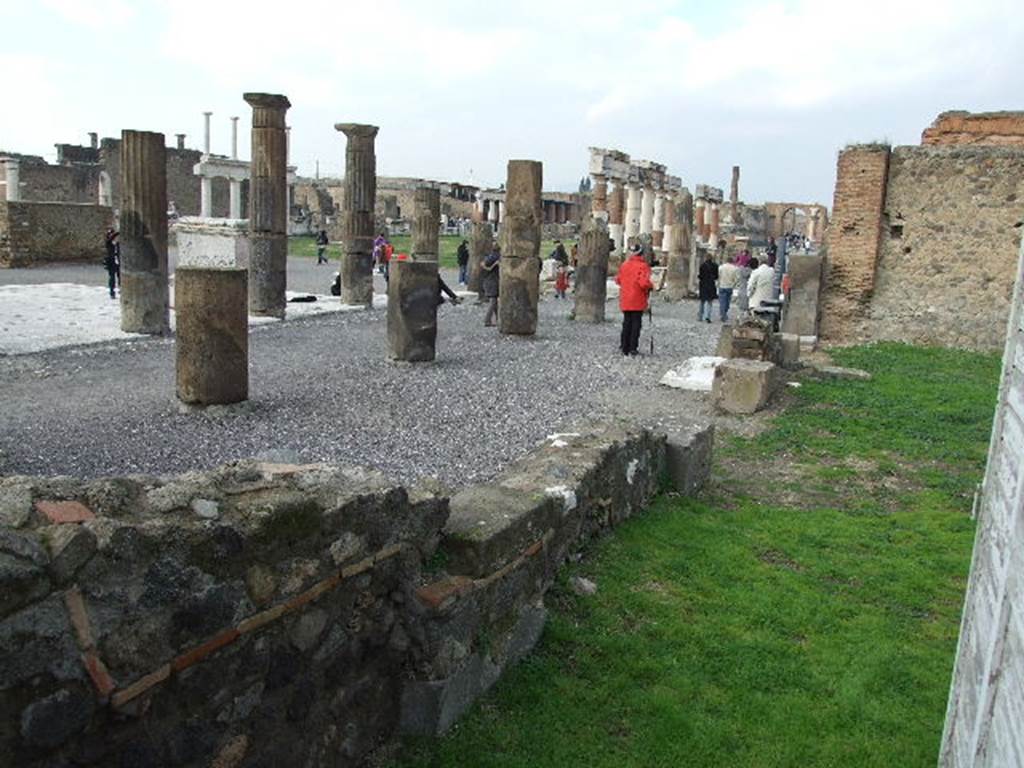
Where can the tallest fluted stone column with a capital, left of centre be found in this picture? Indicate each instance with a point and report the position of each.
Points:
(268, 215)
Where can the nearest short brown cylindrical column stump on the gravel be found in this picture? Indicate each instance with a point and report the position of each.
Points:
(212, 335)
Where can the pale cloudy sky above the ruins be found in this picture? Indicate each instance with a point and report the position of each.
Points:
(458, 88)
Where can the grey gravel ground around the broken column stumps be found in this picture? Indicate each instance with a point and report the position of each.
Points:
(323, 390)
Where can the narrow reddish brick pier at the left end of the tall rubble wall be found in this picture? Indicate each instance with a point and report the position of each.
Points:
(854, 238)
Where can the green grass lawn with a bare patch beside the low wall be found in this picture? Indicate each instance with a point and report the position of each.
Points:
(804, 612)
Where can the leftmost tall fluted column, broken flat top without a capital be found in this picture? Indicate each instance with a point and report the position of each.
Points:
(144, 233)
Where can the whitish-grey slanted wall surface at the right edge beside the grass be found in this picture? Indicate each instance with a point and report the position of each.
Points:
(986, 715)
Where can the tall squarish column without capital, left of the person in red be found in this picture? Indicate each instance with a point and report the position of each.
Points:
(521, 268)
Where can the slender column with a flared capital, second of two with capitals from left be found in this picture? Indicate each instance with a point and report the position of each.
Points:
(358, 215)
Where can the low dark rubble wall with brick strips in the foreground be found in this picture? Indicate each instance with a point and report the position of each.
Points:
(292, 616)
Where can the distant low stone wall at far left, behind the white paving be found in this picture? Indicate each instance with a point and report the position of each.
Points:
(39, 233)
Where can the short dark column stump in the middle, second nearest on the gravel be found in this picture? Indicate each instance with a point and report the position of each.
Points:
(412, 311)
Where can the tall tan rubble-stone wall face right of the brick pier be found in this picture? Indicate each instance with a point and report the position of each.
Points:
(949, 247)
